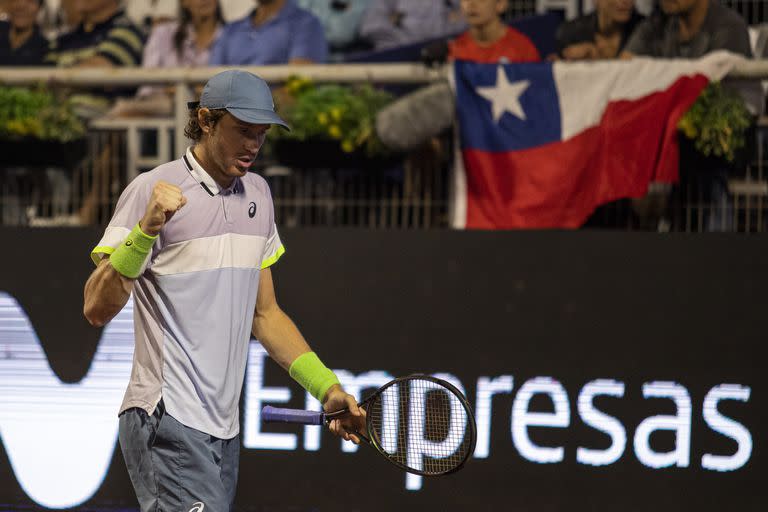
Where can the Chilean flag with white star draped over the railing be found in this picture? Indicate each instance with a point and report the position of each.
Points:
(541, 145)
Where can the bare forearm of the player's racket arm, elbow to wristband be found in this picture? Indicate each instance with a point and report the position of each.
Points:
(279, 336)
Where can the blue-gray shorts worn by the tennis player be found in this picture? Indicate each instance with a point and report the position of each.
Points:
(177, 468)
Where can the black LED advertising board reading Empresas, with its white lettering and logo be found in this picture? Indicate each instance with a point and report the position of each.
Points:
(605, 370)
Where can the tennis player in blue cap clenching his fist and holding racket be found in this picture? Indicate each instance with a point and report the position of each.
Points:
(194, 240)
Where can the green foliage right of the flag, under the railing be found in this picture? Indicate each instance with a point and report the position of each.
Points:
(717, 122)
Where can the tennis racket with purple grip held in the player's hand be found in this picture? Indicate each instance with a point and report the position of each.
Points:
(419, 423)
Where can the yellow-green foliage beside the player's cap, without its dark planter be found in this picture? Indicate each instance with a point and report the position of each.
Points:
(346, 114)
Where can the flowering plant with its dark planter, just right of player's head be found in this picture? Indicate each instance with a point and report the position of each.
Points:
(332, 126)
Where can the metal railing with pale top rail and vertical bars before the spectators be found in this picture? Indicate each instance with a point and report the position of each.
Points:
(411, 194)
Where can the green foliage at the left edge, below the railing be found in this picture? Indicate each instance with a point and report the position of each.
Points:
(37, 113)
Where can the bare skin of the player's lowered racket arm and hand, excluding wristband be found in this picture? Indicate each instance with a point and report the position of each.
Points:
(284, 343)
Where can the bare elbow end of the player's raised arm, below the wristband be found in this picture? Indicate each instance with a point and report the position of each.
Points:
(105, 294)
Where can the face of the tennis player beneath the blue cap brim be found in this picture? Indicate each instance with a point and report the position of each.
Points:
(233, 146)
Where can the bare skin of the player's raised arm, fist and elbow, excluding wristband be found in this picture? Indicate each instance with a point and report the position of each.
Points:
(106, 290)
